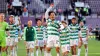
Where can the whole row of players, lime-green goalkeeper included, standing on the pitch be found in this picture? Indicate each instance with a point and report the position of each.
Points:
(54, 33)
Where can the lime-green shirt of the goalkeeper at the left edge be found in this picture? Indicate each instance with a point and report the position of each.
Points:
(3, 27)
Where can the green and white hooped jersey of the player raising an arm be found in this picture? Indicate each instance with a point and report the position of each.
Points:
(52, 27)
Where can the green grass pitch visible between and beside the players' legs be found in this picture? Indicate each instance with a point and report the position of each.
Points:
(93, 45)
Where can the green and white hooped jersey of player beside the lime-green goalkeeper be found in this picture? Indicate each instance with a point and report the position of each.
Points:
(12, 30)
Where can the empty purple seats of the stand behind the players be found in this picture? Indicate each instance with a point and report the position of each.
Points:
(62, 5)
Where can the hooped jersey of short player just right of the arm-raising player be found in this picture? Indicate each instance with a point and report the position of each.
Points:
(64, 36)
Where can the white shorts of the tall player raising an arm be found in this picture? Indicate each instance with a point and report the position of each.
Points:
(53, 41)
